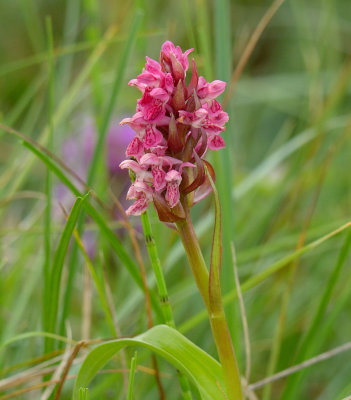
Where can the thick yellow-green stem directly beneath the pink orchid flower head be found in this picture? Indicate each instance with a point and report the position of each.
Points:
(214, 307)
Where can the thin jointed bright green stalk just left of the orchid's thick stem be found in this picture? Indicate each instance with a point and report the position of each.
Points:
(162, 291)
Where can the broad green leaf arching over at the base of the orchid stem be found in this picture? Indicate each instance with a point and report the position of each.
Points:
(203, 370)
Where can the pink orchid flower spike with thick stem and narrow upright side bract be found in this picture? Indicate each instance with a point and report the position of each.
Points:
(176, 124)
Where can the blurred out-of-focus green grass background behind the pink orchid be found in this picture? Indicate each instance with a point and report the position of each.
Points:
(283, 179)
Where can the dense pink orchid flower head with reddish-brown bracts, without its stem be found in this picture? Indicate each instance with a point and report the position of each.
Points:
(175, 125)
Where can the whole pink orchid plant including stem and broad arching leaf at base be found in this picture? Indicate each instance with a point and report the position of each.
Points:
(176, 123)
